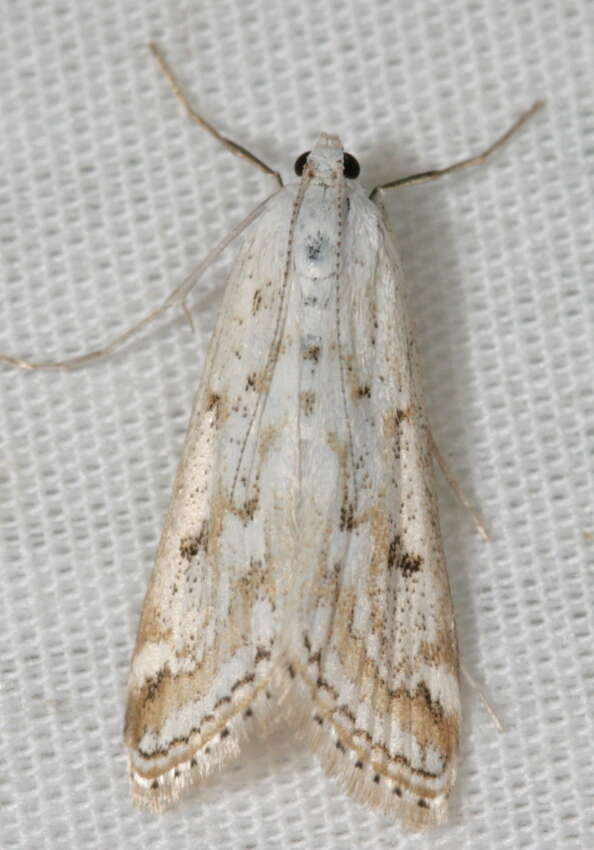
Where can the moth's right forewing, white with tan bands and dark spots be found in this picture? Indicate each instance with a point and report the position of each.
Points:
(375, 663)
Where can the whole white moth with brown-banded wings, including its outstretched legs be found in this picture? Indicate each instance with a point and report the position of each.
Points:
(301, 571)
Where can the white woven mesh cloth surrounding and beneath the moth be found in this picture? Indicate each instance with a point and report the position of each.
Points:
(108, 196)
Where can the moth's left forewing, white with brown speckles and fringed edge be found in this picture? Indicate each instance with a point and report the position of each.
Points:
(203, 655)
